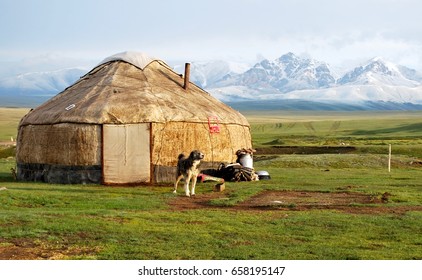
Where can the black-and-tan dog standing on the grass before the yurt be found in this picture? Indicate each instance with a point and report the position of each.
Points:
(187, 168)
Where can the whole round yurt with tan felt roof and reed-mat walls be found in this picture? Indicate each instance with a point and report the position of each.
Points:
(125, 122)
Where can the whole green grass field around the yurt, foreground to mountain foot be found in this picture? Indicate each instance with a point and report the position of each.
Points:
(316, 206)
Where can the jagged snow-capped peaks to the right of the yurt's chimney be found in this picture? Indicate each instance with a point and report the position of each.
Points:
(291, 77)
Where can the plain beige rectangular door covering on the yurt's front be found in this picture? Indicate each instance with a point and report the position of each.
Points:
(126, 153)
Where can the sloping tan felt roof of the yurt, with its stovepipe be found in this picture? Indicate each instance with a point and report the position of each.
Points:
(131, 87)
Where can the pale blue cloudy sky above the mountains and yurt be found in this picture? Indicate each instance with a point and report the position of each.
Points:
(46, 35)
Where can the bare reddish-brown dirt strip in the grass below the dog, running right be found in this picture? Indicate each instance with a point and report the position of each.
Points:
(348, 202)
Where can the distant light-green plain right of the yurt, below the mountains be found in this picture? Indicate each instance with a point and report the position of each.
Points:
(345, 129)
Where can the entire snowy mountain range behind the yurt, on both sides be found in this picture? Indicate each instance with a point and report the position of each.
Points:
(289, 80)
